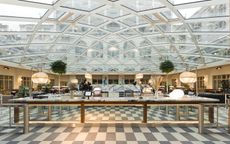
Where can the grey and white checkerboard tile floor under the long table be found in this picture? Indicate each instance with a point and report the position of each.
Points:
(113, 133)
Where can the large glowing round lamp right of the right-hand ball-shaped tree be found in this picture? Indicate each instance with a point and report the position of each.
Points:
(188, 77)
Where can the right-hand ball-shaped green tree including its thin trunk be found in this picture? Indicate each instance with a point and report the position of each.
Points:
(166, 67)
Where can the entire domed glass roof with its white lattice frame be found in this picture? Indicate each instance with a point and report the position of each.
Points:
(106, 36)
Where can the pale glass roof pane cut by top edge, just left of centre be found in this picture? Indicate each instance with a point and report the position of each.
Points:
(87, 5)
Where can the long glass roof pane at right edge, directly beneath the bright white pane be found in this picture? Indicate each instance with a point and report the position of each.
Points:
(209, 26)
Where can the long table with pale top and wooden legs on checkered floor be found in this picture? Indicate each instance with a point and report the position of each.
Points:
(199, 102)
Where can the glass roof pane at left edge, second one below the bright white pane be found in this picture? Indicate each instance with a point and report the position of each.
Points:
(14, 39)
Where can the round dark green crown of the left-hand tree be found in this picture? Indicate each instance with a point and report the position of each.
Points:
(58, 67)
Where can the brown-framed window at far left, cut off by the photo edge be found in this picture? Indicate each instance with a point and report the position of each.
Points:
(6, 84)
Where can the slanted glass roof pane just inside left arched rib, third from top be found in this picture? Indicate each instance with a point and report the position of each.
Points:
(44, 38)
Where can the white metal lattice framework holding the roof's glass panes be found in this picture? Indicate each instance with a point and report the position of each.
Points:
(193, 49)
